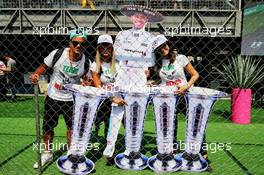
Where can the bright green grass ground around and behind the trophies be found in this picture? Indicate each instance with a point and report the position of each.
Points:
(18, 134)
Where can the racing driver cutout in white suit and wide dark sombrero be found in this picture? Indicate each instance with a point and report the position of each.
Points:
(133, 51)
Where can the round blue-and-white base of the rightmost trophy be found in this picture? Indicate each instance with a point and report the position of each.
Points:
(193, 162)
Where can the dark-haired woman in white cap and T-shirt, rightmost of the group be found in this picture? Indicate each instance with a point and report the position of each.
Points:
(171, 68)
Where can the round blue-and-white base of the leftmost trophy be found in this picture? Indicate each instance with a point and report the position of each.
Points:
(75, 165)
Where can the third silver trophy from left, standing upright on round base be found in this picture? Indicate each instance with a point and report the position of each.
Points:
(164, 107)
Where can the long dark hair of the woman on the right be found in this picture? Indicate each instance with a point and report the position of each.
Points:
(159, 57)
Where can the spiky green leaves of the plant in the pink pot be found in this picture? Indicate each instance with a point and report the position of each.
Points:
(243, 72)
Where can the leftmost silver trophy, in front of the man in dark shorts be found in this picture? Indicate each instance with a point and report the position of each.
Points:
(86, 100)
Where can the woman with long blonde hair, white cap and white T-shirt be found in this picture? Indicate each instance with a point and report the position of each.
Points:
(104, 74)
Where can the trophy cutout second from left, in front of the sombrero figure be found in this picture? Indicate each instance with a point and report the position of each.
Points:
(135, 110)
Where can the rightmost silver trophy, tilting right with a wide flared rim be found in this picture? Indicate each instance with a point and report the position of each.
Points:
(200, 102)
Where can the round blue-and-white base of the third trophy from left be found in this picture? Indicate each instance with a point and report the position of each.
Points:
(165, 163)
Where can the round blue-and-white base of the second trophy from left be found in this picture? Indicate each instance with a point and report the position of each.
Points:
(133, 161)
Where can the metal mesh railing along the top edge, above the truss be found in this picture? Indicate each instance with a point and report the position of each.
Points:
(116, 4)
